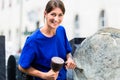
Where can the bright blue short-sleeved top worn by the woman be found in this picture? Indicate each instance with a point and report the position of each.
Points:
(39, 49)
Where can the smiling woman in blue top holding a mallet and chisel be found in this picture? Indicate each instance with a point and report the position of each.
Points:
(45, 43)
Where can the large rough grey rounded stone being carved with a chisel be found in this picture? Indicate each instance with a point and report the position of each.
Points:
(98, 56)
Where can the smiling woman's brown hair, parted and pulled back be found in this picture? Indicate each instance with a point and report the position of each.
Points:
(53, 4)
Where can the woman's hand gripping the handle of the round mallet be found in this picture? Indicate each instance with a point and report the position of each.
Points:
(51, 75)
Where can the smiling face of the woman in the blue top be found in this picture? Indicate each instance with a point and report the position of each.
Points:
(54, 18)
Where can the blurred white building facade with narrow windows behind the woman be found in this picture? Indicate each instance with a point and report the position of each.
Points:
(19, 18)
